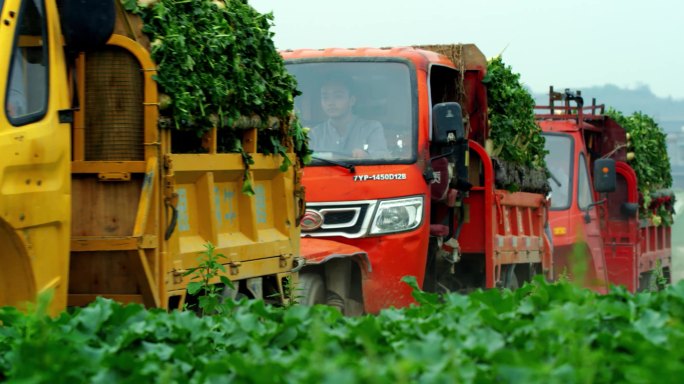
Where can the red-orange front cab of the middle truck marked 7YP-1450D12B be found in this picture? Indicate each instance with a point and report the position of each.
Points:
(373, 206)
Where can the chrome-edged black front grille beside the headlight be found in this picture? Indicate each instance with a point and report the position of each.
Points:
(342, 219)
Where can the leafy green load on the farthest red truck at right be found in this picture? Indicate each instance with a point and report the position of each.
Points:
(648, 143)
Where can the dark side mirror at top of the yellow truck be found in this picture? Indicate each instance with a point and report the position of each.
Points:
(87, 24)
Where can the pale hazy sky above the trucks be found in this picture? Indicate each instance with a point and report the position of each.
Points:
(565, 43)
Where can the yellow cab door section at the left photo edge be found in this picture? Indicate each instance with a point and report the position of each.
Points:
(35, 188)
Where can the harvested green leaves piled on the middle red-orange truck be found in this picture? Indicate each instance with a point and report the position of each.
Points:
(516, 136)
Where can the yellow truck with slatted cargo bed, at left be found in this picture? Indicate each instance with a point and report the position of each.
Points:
(94, 201)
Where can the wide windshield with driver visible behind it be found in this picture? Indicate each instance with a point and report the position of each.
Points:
(357, 112)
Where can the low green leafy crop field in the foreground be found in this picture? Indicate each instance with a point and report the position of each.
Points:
(541, 333)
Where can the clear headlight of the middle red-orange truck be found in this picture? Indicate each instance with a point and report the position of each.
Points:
(397, 215)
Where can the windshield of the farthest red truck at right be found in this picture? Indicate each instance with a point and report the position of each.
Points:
(560, 165)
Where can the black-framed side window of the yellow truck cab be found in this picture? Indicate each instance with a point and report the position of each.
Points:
(27, 91)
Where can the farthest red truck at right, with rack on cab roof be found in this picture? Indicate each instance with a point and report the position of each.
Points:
(598, 220)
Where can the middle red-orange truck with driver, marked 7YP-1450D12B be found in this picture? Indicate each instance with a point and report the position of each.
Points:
(415, 195)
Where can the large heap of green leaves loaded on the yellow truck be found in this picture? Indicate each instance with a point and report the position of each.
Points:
(216, 62)
